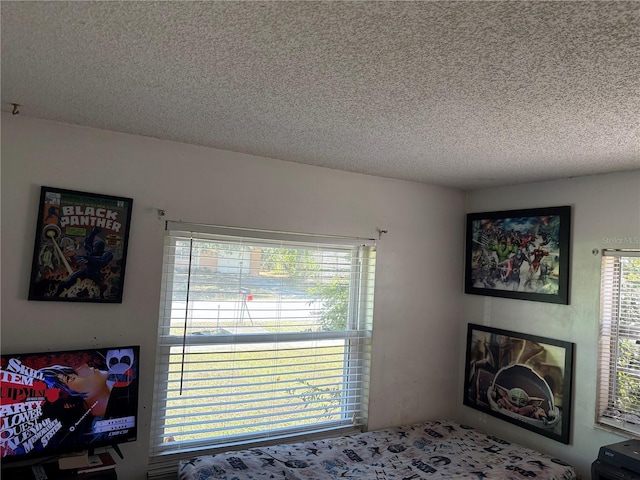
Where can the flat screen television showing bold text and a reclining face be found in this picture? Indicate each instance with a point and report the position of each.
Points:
(61, 402)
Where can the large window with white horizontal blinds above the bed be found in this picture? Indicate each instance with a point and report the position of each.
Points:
(262, 335)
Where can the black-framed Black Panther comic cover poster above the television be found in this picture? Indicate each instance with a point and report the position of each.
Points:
(80, 250)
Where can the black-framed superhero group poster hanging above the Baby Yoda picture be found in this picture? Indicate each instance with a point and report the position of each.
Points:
(522, 254)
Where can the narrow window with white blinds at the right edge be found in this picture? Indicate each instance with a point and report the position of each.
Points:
(619, 355)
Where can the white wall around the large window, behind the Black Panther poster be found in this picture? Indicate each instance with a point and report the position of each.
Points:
(418, 291)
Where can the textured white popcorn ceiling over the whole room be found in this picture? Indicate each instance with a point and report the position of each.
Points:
(460, 94)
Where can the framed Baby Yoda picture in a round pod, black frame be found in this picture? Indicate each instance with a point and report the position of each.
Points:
(523, 379)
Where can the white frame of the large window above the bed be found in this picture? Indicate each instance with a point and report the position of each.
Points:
(360, 326)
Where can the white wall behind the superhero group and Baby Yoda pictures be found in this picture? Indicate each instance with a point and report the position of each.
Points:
(606, 214)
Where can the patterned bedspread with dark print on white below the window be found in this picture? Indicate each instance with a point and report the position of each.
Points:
(431, 450)
